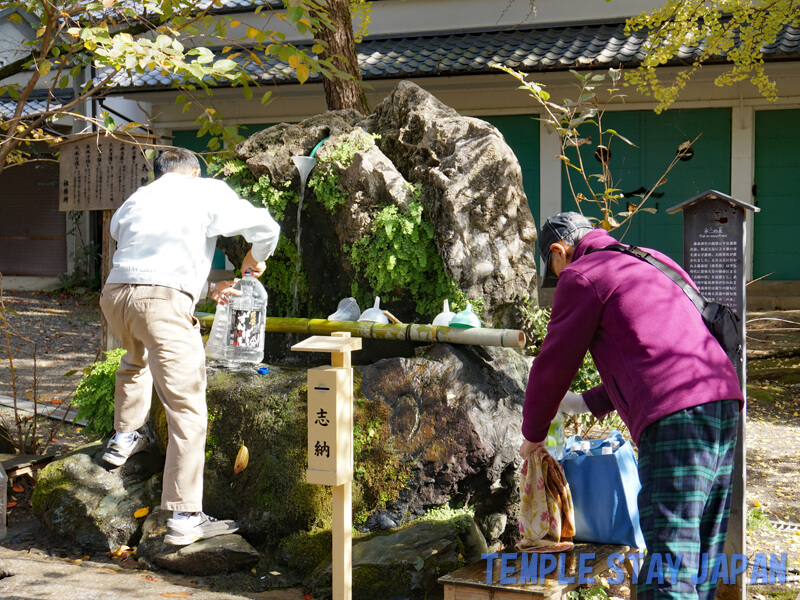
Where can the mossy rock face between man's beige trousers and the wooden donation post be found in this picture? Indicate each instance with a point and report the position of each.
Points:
(268, 415)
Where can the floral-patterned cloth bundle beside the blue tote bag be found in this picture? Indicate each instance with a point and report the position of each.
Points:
(547, 518)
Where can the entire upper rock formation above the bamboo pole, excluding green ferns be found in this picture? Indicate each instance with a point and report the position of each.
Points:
(470, 186)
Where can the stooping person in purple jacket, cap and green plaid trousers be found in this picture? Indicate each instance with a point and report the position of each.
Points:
(662, 371)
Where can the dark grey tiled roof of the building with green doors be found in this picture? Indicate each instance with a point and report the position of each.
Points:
(540, 49)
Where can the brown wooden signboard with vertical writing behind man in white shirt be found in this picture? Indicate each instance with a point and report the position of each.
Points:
(99, 172)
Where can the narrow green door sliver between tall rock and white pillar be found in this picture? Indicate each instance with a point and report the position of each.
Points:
(522, 135)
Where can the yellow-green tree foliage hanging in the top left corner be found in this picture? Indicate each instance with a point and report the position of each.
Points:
(87, 46)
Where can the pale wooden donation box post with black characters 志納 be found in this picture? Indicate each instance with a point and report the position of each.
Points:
(330, 444)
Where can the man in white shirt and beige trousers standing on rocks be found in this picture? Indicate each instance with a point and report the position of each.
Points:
(166, 235)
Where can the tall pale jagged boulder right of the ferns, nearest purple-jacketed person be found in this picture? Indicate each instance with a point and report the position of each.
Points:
(472, 189)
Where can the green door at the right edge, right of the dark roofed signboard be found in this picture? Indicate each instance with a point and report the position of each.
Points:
(777, 161)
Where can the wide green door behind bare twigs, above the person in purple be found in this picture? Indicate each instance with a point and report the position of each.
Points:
(657, 138)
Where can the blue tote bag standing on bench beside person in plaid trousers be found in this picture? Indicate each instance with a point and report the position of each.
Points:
(604, 481)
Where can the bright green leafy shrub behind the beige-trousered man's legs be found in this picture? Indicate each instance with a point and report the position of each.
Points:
(94, 396)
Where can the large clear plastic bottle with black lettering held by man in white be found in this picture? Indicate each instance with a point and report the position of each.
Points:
(237, 336)
